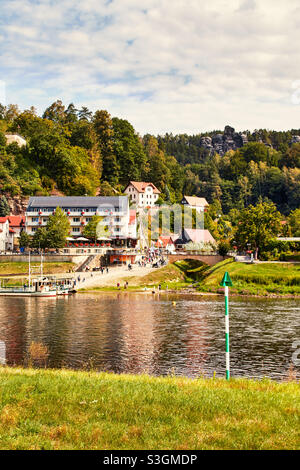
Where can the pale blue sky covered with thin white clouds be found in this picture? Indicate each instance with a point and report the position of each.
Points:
(180, 66)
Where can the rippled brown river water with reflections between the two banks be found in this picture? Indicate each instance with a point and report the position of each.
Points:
(156, 334)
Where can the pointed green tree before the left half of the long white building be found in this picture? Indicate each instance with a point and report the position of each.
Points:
(57, 229)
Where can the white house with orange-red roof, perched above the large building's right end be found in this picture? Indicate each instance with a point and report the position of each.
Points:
(142, 194)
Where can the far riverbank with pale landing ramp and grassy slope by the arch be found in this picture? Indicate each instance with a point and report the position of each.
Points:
(190, 276)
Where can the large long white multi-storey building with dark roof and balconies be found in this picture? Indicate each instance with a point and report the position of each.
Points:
(80, 210)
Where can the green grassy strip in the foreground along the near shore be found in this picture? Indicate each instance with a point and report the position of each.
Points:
(47, 409)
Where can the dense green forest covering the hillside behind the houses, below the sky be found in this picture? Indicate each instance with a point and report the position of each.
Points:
(78, 152)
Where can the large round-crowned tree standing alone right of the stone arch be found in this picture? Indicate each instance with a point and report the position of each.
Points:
(257, 226)
